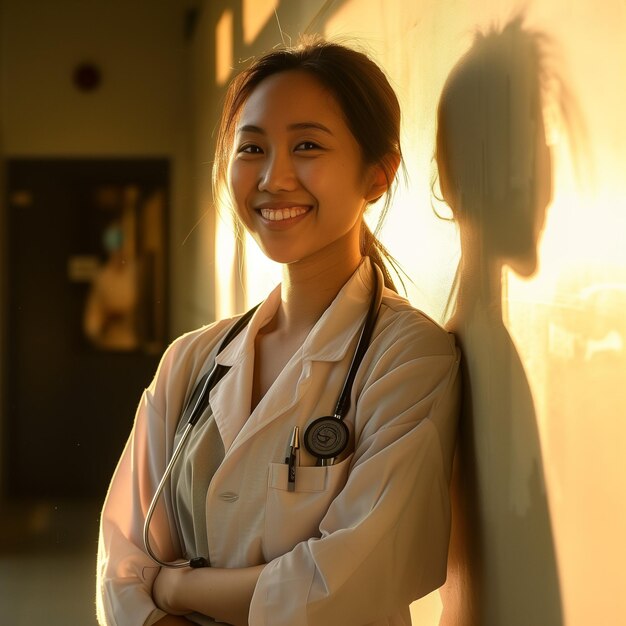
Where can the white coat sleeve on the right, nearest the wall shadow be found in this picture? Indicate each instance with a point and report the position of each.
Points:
(384, 539)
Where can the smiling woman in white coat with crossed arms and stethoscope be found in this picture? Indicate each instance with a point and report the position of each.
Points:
(309, 138)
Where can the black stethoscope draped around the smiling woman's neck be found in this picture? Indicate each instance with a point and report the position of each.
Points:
(324, 437)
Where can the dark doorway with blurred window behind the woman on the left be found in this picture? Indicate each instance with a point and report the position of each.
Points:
(86, 303)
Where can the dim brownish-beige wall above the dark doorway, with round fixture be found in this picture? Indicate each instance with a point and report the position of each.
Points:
(138, 45)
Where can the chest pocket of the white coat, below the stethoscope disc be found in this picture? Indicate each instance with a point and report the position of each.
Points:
(294, 516)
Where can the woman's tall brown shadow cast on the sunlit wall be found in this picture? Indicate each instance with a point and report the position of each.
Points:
(495, 173)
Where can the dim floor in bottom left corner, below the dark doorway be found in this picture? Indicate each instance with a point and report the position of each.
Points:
(47, 563)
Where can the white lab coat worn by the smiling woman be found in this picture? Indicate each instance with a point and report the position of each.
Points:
(355, 542)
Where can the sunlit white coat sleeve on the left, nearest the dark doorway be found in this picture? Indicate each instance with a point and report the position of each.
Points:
(125, 572)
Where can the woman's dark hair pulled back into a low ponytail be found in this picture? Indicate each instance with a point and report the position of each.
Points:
(368, 102)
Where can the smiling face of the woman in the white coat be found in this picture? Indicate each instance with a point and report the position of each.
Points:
(296, 174)
